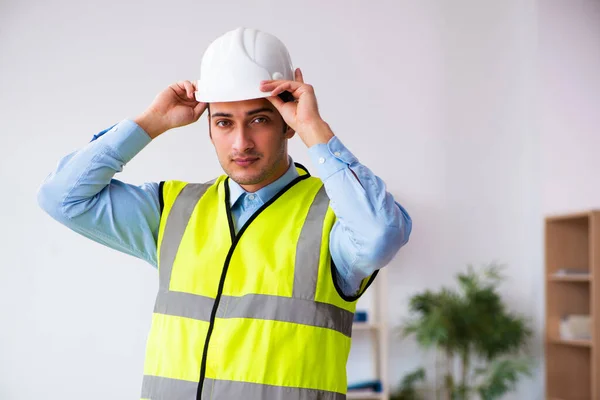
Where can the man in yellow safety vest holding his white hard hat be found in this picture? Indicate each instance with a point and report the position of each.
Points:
(259, 269)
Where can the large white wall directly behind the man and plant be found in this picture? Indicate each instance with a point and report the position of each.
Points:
(436, 97)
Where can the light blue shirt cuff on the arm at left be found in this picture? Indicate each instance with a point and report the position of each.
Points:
(126, 138)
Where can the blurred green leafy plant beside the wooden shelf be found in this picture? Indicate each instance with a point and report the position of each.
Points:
(480, 342)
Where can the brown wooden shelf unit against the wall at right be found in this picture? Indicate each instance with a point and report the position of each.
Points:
(572, 242)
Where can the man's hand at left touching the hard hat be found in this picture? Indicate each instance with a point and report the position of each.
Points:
(173, 107)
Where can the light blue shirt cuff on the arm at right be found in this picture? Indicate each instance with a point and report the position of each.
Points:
(331, 157)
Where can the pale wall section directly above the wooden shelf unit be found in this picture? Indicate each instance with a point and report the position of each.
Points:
(570, 104)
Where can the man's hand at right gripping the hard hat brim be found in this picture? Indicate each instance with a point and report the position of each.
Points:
(302, 114)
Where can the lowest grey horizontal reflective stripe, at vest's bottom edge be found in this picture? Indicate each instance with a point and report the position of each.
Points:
(175, 389)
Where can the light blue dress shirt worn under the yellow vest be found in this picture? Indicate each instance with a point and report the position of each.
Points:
(83, 194)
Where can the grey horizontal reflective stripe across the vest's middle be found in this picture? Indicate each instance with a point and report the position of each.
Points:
(257, 306)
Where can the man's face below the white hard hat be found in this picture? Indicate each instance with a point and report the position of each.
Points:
(250, 138)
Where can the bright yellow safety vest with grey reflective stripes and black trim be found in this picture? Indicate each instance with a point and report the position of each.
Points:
(254, 315)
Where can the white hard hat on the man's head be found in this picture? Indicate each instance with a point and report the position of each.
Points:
(235, 63)
